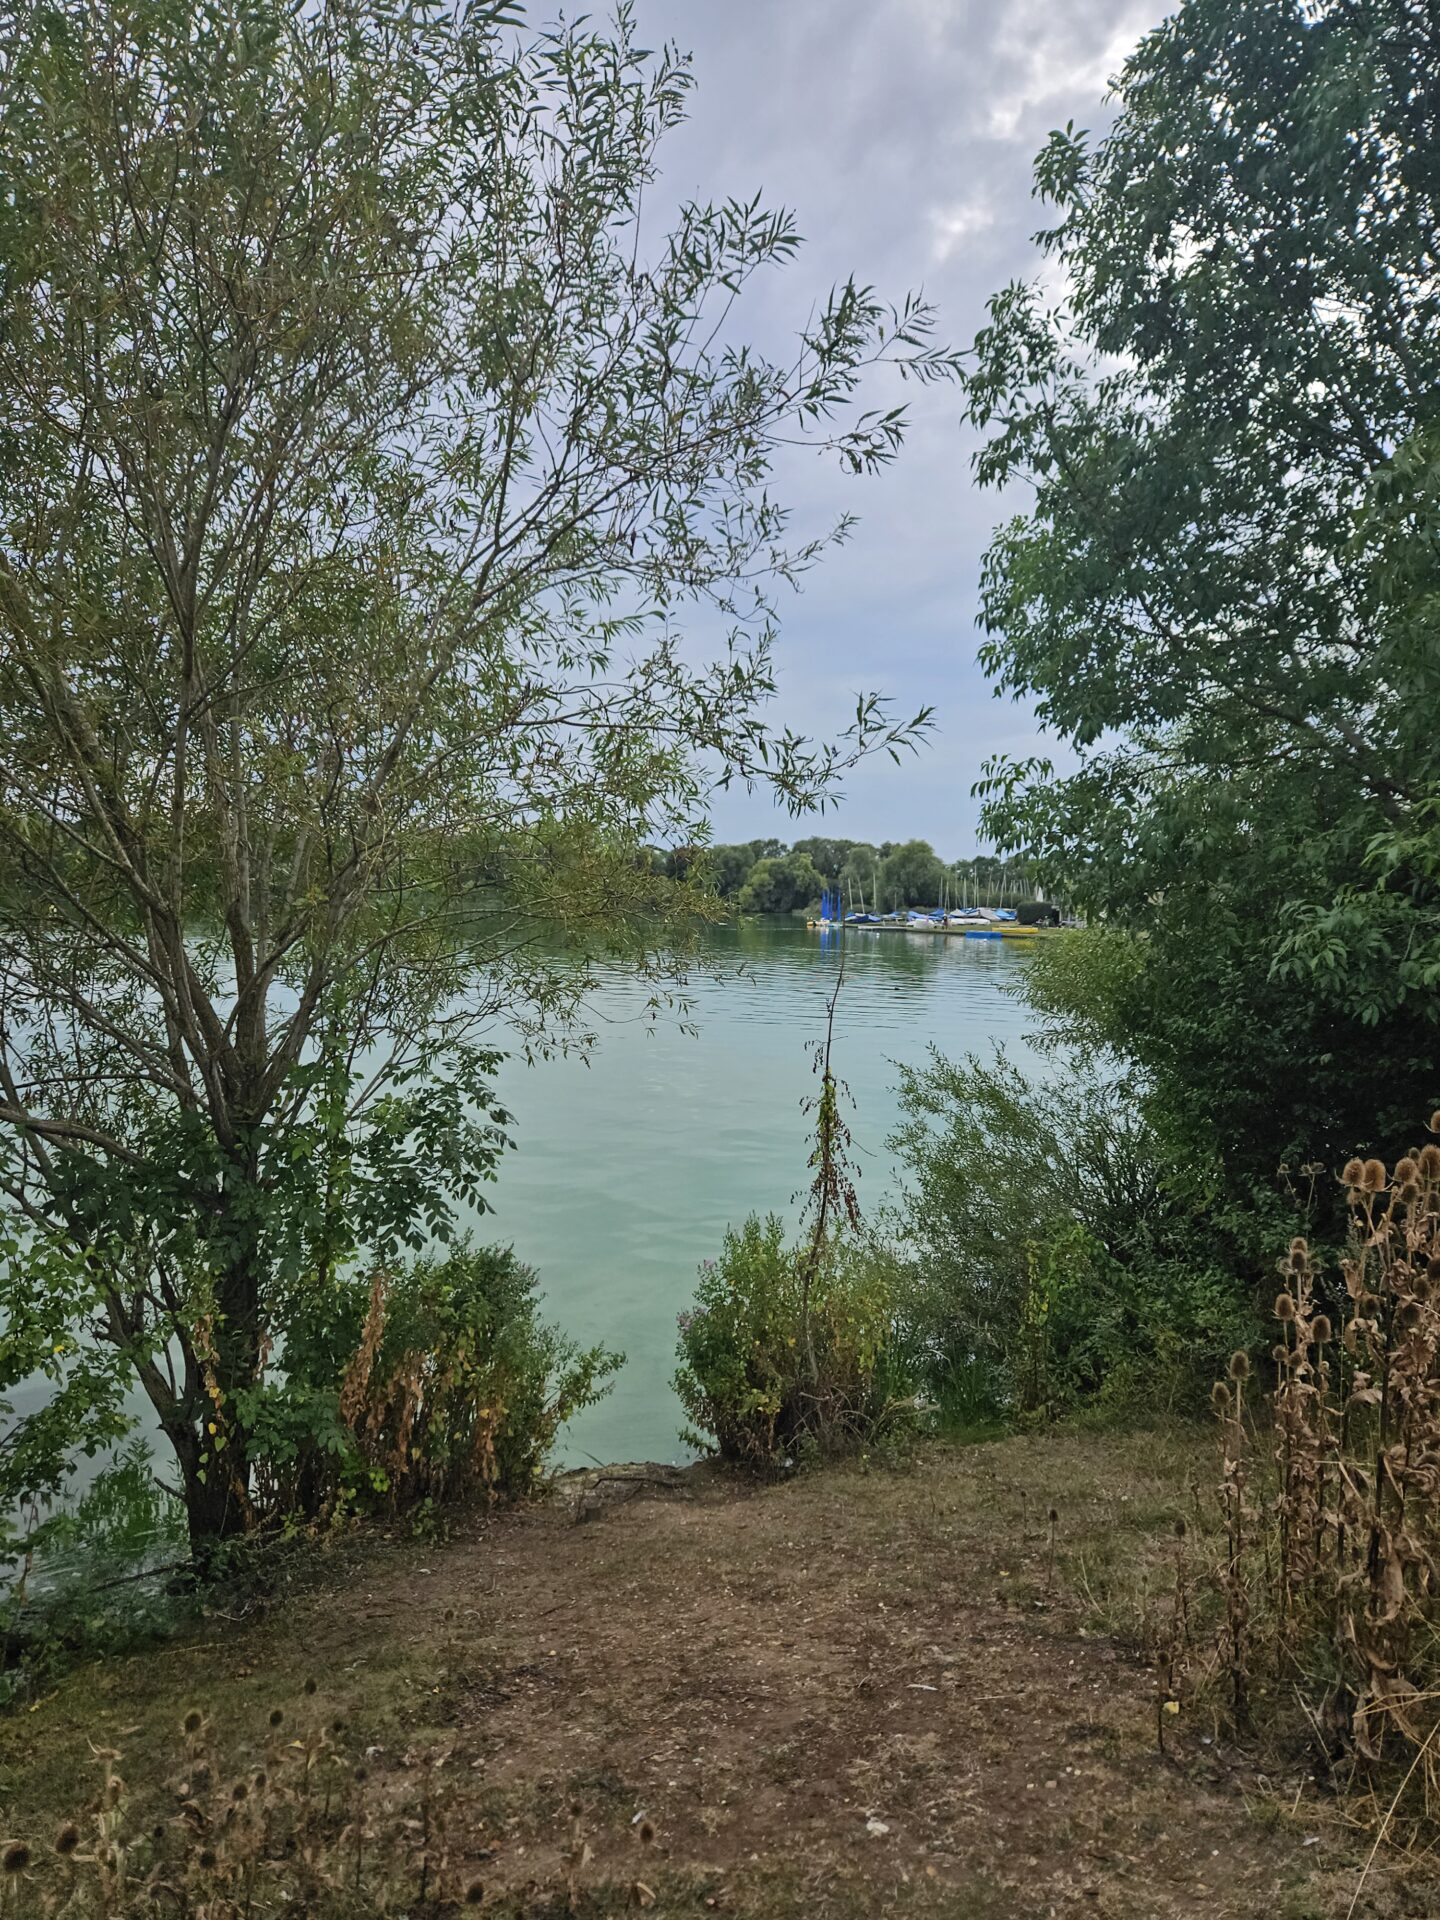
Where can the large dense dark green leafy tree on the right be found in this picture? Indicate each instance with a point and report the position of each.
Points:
(1224, 590)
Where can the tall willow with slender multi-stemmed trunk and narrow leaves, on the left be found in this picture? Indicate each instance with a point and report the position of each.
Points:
(364, 462)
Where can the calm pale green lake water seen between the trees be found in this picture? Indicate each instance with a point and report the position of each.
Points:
(631, 1168)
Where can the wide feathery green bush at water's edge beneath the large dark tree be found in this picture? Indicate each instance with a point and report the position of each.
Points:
(1051, 1253)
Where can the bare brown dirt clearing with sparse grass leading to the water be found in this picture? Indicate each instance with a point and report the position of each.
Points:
(861, 1692)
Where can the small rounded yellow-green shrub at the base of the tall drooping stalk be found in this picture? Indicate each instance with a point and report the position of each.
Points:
(784, 1356)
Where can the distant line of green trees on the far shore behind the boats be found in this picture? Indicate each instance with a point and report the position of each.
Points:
(765, 876)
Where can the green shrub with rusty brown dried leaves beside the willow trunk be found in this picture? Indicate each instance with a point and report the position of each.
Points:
(416, 1389)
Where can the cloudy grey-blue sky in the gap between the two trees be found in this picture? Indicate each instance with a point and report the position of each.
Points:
(901, 133)
